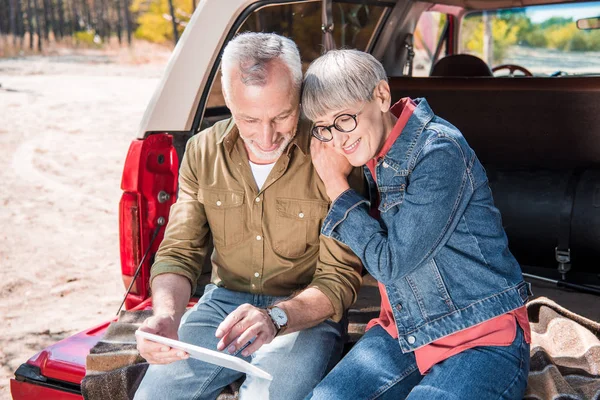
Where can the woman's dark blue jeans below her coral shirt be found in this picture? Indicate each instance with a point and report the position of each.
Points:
(376, 368)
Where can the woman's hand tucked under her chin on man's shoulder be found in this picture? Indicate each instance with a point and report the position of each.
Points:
(332, 167)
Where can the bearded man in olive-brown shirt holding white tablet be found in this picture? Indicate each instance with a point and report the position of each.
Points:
(249, 182)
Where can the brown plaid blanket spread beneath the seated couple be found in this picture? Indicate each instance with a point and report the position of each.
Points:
(565, 357)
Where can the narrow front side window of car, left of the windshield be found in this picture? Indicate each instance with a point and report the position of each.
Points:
(427, 35)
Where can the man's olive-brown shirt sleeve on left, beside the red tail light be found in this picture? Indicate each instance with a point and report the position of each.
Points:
(186, 239)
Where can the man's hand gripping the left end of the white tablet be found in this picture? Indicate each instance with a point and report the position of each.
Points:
(155, 353)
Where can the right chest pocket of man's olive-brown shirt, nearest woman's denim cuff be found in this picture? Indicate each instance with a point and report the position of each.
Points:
(297, 225)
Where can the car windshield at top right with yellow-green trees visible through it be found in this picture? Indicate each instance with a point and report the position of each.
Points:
(545, 40)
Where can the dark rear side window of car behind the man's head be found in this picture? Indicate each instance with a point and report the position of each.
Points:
(355, 26)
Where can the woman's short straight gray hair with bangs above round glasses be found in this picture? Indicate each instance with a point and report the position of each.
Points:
(338, 79)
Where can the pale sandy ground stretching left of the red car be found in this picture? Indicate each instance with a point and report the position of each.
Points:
(66, 122)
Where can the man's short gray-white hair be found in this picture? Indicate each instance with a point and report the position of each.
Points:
(251, 52)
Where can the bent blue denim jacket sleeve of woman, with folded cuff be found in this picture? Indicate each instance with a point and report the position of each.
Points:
(409, 233)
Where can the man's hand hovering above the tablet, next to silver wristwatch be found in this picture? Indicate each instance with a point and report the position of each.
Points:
(241, 326)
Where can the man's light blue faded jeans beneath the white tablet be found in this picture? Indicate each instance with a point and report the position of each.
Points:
(298, 361)
